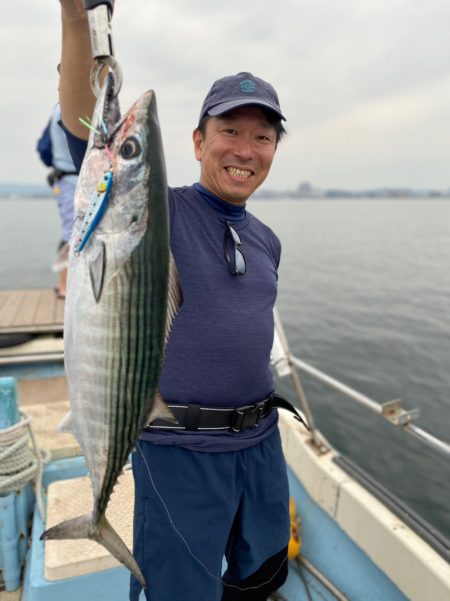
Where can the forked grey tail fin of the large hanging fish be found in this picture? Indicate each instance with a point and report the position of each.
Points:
(103, 533)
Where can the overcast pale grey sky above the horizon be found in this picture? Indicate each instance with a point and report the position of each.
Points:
(364, 84)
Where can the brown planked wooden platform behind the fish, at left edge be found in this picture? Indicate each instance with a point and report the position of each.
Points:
(31, 311)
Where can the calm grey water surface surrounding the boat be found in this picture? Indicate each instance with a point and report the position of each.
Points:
(364, 295)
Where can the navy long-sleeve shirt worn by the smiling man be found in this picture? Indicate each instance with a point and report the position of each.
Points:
(219, 346)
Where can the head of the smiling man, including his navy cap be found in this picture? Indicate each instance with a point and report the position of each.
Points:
(240, 126)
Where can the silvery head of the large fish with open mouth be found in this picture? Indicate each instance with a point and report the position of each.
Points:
(130, 149)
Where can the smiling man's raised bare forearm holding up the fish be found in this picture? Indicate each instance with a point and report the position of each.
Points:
(75, 94)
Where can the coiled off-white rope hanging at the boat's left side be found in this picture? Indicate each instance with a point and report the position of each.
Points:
(19, 462)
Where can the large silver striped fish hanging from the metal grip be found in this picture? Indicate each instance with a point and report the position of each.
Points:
(123, 293)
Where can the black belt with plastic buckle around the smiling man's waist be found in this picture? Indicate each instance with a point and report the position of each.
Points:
(194, 416)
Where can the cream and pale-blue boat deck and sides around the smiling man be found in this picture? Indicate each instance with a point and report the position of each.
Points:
(352, 546)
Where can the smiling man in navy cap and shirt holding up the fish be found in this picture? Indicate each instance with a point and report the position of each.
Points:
(216, 483)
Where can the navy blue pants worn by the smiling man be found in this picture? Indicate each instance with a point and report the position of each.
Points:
(208, 505)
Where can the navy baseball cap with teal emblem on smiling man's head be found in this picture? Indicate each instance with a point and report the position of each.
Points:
(238, 90)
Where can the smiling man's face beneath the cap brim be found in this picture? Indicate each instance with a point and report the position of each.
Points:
(235, 153)
